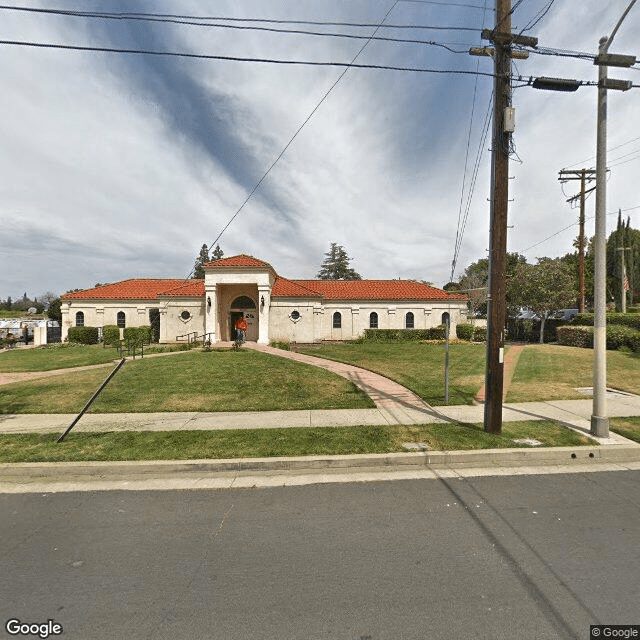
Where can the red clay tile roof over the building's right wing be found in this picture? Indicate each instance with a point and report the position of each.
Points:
(362, 290)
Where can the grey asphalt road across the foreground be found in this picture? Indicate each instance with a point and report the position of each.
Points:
(495, 557)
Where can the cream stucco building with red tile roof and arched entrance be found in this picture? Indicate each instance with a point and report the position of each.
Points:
(276, 308)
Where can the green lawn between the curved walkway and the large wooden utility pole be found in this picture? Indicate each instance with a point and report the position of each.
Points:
(417, 366)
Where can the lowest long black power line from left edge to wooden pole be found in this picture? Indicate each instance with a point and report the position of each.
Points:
(47, 45)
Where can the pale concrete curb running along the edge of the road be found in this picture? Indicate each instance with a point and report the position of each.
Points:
(147, 469)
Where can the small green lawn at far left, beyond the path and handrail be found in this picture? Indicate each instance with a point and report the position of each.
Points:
(55, 356)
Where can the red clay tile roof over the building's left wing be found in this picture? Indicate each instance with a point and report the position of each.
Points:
(140, 289)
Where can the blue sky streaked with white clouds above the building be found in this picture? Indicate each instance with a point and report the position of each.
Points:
(120, 165)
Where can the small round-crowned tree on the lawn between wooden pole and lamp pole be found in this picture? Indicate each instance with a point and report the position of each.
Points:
(542, 287)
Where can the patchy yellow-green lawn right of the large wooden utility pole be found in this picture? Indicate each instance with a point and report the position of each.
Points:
(552, 372)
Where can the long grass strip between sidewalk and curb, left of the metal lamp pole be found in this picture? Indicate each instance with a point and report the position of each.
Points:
(262, 443)
